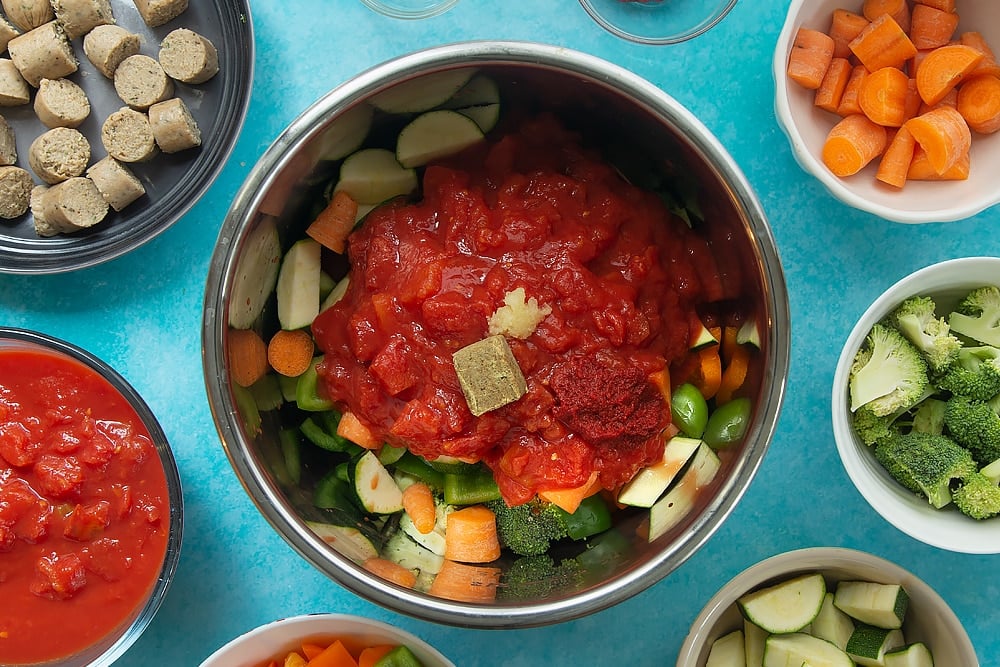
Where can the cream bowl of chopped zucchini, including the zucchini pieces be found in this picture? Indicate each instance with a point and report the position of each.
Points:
(827, 606)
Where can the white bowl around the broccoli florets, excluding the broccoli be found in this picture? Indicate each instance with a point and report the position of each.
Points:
(946, 282)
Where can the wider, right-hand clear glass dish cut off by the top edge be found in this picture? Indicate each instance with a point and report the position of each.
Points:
(657, 21)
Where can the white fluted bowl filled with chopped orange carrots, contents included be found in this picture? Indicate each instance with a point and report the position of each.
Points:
(894, 105)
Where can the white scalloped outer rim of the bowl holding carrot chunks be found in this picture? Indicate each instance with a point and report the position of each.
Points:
(834, 185)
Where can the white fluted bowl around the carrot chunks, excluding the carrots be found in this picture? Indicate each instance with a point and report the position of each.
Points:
(807, 126)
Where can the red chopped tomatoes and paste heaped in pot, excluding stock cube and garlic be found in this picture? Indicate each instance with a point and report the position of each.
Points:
(533, 210)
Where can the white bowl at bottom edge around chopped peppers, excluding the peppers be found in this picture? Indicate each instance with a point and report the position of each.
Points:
(279, 637)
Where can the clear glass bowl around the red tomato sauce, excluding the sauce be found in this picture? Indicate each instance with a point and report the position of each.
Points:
(108, 649)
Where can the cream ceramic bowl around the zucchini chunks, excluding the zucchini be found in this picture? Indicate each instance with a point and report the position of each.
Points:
(929, 618)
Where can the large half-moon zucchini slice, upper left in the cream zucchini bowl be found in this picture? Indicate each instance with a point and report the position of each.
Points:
(785, 607)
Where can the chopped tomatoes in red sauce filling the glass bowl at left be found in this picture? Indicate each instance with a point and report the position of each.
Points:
(84, 513)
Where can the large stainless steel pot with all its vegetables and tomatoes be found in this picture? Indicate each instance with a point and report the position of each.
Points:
(498, 336)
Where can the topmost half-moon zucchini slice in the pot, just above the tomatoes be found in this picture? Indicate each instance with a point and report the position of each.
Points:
(434, 135)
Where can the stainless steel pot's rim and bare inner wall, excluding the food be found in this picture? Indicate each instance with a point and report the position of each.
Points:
(601, 100)
